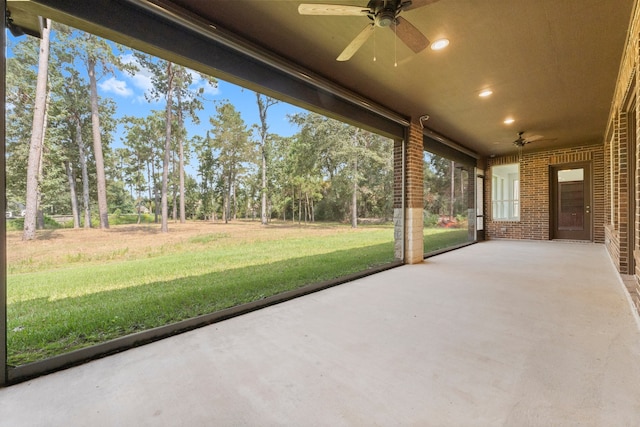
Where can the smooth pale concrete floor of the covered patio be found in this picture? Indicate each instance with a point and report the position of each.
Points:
(500, 333)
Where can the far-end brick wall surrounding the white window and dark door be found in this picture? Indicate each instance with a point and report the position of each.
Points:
(535, 203)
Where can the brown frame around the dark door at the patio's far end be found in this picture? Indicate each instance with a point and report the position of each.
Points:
(553, 198)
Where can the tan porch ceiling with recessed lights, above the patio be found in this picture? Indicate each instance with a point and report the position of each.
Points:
(552, 66)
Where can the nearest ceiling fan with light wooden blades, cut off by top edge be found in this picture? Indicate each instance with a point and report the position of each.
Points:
(381, 13)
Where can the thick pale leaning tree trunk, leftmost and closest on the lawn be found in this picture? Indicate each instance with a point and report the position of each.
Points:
(37, 134)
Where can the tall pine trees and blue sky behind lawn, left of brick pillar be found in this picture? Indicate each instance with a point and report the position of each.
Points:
(97, 162)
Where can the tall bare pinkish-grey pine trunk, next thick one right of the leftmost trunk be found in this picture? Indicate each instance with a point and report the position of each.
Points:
(101, 180)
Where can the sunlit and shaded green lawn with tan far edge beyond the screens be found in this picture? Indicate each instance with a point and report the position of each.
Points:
(76, 288)
